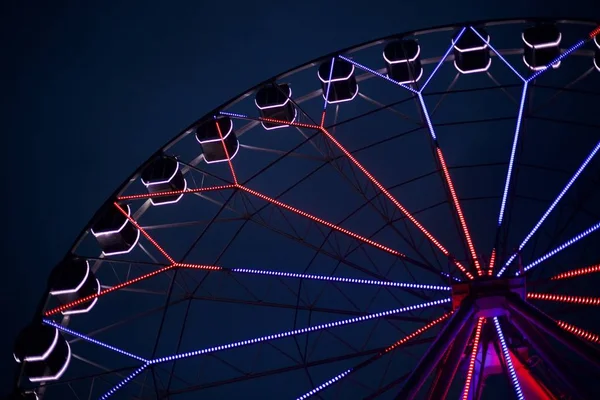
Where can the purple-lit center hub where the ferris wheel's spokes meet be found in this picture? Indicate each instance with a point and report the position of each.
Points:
(488, 294)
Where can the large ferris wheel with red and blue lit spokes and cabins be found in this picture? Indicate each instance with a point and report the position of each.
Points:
(413, 217)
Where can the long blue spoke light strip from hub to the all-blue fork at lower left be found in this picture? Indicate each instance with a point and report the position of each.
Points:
(298, 331)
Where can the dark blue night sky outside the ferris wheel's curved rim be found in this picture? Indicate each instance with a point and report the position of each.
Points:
(90, 92)
